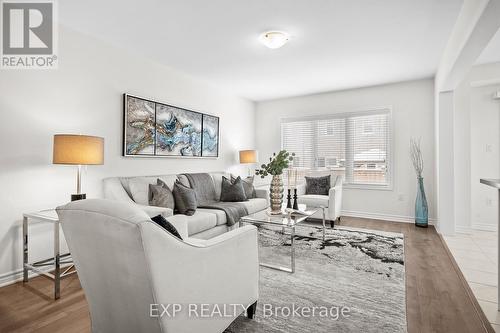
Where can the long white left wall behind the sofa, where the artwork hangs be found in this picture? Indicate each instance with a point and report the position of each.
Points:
(85, 96)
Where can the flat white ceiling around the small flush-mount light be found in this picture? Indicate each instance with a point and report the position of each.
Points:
(336, 44)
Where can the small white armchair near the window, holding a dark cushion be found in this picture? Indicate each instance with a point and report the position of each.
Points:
(332, 202)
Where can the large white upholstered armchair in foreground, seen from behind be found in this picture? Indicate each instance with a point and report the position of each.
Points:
(129, 266)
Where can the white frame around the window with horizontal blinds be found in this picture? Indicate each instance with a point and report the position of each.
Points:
(389, 186)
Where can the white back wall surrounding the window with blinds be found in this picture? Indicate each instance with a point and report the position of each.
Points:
(413, 116)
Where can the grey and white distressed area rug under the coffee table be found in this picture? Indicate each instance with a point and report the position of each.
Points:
(361, 271)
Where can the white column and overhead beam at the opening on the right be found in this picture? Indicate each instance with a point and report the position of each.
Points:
(476, 24)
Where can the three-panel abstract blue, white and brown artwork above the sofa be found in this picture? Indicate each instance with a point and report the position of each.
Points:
(158, 129)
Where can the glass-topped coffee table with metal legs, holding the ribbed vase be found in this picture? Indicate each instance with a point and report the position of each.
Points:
(286, 221)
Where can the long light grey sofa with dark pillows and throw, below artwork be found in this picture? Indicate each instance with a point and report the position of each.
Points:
(204, 224)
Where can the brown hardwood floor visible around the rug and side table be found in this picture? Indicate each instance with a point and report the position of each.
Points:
(437, 297)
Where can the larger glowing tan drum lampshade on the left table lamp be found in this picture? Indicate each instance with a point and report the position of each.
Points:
(78, 149)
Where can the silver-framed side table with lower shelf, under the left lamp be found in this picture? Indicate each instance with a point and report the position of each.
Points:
(58, 261)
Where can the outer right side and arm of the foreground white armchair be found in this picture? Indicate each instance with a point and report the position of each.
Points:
(225, 270)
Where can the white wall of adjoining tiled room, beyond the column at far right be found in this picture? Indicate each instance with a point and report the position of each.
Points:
(477, 148)
